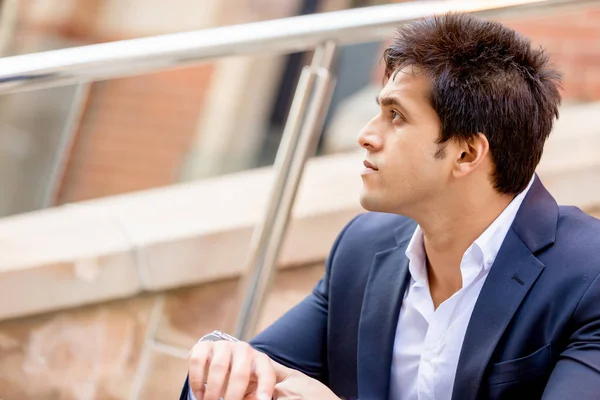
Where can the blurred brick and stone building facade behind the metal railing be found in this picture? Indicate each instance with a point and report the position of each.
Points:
(154, 130)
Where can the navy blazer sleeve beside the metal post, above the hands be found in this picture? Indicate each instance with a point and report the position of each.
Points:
(298, 339)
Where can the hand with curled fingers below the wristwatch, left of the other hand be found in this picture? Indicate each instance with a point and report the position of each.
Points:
(232, 370)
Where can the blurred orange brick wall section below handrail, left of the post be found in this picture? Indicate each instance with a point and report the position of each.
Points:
(135, 133)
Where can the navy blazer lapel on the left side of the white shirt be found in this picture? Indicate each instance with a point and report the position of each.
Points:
(379, 316)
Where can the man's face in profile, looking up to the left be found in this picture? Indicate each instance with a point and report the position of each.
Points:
(409, 169)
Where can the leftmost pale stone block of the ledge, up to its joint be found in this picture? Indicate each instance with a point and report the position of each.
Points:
(60, 258)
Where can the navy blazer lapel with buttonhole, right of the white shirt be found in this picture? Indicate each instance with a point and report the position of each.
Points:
(514, 272)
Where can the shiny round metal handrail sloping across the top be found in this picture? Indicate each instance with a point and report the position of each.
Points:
(137, 56)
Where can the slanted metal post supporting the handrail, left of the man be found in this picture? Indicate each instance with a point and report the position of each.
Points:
(298, 143)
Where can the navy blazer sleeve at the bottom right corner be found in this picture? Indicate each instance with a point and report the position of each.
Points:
(577, 372)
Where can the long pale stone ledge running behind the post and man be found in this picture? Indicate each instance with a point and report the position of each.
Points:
(199, 232)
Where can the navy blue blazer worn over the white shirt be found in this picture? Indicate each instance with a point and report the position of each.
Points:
(534, 332)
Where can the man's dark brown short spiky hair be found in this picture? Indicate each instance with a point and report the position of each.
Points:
(485, 78)
